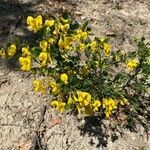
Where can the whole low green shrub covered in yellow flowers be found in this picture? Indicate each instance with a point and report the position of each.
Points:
(81, 73)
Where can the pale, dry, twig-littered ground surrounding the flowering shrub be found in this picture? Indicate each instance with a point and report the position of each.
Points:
(21, 110)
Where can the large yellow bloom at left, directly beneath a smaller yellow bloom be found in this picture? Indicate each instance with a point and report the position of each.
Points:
(25, 63)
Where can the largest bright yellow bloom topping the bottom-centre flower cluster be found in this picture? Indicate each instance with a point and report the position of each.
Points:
(83, 97)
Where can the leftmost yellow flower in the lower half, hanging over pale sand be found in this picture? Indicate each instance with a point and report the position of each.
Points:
(38, 86)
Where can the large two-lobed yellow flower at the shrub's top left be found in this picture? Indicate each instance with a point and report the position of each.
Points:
(34, 24)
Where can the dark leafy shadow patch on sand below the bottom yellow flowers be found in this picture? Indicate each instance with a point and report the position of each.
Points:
(95, 127)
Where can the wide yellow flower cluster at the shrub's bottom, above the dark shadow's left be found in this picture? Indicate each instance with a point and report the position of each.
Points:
(82, 101)
